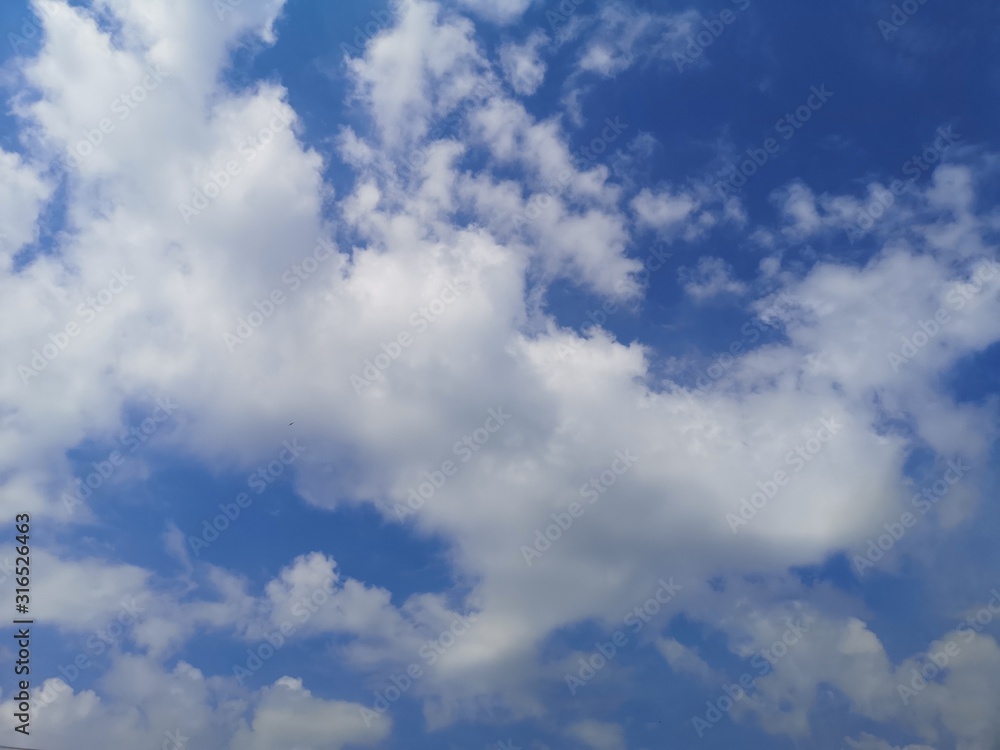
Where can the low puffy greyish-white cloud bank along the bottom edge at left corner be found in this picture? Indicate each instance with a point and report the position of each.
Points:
(140, 705)
